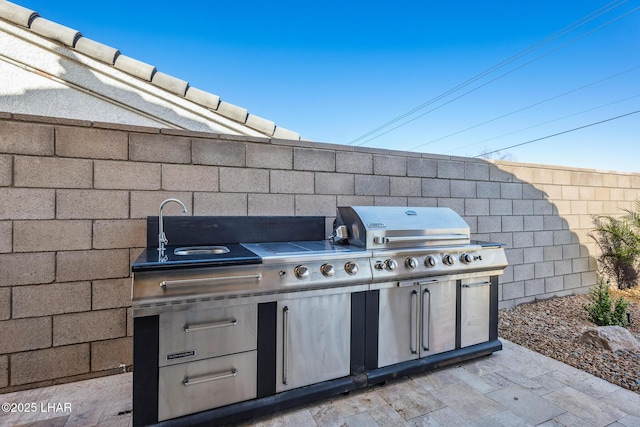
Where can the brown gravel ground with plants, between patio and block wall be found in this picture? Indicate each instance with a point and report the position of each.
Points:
(552, 327)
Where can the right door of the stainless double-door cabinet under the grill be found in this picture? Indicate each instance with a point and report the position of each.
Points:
(438, 329)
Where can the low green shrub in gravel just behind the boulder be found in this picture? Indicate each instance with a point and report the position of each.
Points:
(603, 311)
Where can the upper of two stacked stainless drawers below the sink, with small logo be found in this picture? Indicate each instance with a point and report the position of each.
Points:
(186, 336)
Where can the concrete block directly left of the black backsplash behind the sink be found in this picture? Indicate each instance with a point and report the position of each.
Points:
(109, 234)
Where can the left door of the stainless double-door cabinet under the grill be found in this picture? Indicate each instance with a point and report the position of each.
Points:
(398, 333)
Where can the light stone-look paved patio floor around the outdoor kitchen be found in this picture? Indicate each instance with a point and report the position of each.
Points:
(512, 387)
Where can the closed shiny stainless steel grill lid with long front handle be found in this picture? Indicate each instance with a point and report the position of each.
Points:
(386, 227)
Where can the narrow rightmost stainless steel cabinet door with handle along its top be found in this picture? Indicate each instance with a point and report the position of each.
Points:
(475, 296)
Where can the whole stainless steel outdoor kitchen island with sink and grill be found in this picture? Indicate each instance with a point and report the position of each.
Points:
(226, 330)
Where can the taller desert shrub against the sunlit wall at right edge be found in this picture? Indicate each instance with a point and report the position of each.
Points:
(619, 242)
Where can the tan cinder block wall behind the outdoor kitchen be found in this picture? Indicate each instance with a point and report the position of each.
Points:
(74, 196)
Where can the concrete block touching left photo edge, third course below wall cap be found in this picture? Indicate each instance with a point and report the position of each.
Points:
(27, 203)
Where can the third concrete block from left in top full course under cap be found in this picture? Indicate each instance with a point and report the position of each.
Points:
(144, 147)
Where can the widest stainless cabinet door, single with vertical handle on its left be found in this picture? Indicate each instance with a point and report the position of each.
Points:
(313, 340)
